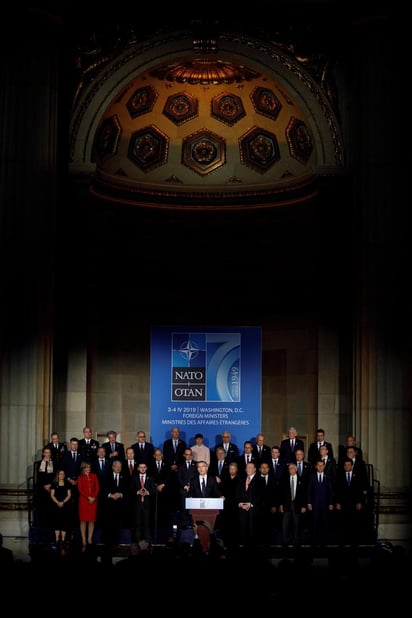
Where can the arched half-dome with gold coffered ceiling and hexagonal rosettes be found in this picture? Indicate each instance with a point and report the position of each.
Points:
(180, 122)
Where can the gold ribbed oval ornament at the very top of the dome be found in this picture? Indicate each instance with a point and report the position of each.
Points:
(205, 72)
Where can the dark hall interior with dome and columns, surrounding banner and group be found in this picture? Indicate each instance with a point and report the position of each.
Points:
(204, 166)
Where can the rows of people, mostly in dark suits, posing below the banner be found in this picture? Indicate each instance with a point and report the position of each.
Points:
(270, 494)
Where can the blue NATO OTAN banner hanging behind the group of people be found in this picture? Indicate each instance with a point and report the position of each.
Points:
(205, 380)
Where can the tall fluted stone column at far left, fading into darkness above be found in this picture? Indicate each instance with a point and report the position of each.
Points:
(28, 112)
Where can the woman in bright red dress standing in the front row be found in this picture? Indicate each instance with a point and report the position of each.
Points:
(88, 487)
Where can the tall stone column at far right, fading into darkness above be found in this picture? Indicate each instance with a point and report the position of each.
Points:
(382, 379)
